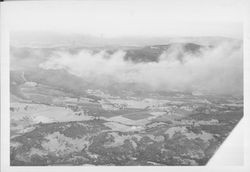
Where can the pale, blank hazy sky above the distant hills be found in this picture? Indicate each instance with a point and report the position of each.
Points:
(111, 18)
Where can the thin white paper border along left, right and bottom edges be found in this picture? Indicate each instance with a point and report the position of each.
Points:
(5, 133)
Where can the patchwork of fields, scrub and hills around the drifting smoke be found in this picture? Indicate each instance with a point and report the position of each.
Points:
(60, 118)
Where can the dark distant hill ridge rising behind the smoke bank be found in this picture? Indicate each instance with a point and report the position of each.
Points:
(28, 56)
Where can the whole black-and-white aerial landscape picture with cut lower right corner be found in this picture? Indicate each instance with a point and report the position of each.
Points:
(123, 83)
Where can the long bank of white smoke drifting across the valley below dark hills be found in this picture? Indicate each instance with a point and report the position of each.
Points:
(219, 69)
